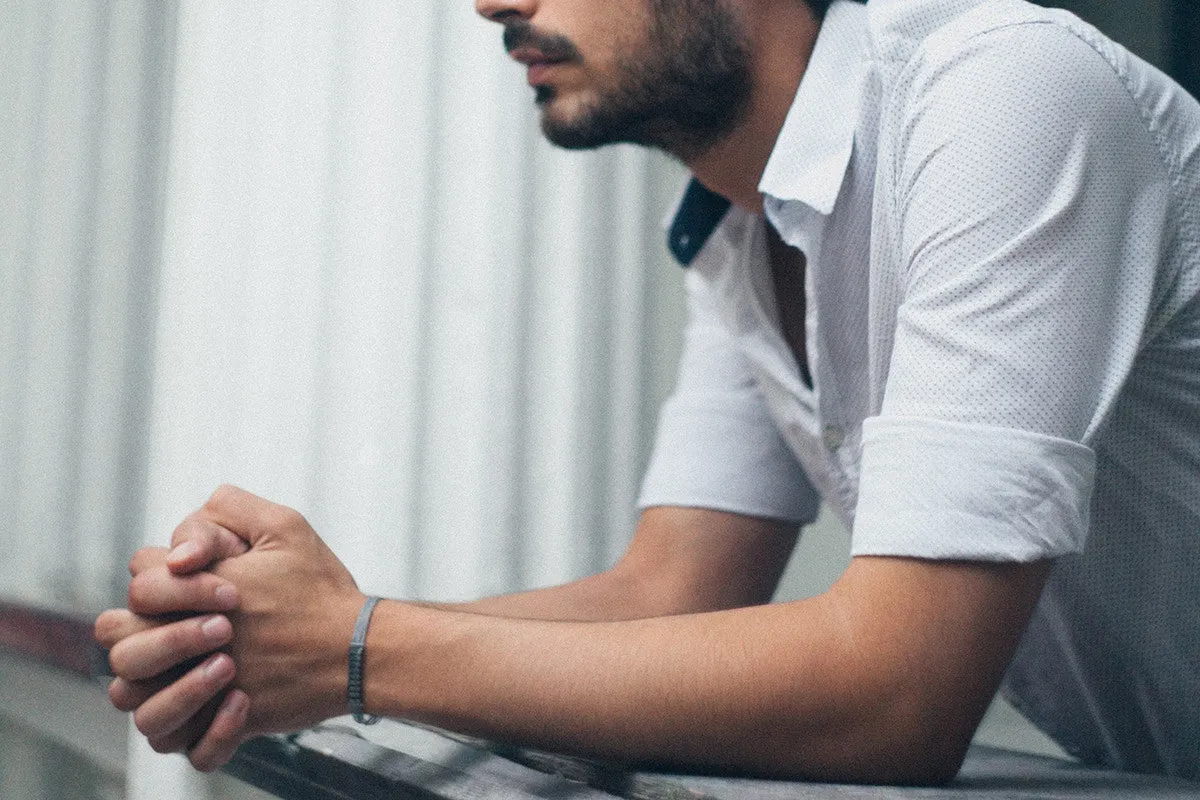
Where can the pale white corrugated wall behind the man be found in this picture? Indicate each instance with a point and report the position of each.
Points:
(364, 286)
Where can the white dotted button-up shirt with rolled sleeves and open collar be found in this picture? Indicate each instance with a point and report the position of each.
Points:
(1000, 212)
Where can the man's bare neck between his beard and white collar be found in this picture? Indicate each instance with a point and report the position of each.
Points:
(783, 35)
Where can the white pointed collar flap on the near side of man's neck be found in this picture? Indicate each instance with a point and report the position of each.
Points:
(813, 152)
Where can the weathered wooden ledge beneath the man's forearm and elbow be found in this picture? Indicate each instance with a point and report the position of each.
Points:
(335, 762)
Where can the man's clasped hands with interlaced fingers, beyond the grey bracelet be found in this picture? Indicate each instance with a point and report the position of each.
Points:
(242, 628)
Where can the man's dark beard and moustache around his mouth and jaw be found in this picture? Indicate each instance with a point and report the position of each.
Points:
(685, 89)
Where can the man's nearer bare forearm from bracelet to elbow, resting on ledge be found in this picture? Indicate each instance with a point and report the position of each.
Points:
(799, 690)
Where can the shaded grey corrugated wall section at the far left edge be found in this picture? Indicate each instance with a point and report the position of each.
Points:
(82, 117)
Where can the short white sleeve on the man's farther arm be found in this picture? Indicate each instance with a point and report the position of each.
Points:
(717, 447)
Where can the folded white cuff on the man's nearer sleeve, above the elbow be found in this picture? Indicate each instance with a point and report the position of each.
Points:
(951, 491)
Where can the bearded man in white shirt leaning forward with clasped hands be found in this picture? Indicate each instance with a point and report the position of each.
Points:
(945, 274)
